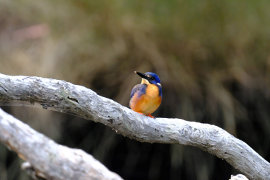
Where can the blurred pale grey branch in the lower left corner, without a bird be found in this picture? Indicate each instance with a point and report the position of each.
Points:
(53, 160)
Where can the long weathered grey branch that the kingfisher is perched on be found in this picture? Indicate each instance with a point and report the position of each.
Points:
(65, 97)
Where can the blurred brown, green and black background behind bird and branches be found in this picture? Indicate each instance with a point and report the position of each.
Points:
(213, 58)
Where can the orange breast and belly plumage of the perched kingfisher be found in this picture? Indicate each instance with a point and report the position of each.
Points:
(148, 102)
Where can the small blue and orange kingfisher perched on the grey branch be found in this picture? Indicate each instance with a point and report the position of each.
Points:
(146, 97)
